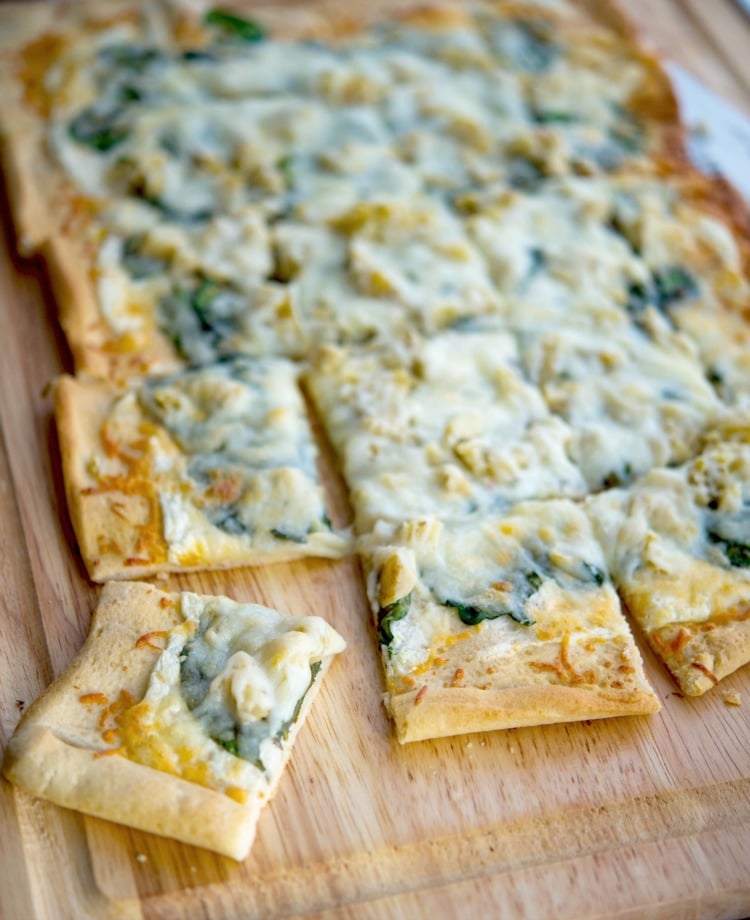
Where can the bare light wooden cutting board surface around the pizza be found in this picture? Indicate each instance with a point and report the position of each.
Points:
(620, 818)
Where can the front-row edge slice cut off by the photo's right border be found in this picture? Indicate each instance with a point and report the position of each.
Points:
(679, 547)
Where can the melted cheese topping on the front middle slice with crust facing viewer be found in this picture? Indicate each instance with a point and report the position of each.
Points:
(534, 575)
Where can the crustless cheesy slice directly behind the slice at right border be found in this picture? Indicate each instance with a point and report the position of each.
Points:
(632, 402)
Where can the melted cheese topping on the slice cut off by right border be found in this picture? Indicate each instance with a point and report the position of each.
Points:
(678, 537)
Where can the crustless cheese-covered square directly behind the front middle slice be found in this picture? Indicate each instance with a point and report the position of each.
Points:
(445, 426)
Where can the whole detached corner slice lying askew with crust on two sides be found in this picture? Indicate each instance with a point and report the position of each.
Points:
(178, 715)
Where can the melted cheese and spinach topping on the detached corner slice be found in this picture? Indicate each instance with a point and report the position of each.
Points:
(237, 668)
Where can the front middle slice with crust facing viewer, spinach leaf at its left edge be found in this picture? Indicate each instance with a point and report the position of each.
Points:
(500, 622)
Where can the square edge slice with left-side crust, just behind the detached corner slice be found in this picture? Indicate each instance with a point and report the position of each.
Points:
(213, 467)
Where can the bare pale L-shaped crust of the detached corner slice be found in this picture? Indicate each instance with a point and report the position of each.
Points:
(58, 752)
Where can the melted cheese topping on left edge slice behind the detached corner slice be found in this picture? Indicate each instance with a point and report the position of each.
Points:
(232, 461)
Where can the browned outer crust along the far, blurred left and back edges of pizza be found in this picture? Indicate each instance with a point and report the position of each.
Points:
(35, 180)
